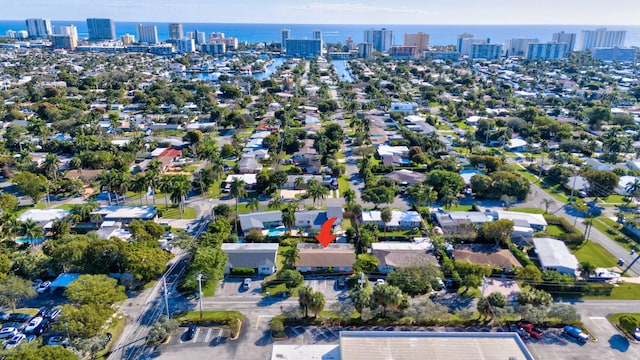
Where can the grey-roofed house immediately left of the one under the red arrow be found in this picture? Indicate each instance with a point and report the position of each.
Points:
(262, 257)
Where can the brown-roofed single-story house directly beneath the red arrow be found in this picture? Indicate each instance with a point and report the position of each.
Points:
(313, 257)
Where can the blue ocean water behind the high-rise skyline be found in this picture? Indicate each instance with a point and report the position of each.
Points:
(440, 34)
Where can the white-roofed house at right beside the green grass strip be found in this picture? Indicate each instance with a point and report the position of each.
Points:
(554, 255)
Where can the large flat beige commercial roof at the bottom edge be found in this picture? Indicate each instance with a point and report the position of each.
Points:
(384, 345)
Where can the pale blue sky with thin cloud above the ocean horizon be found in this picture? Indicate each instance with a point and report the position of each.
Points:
(499, 12)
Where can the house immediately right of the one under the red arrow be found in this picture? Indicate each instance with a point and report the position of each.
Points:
(393, 254)
